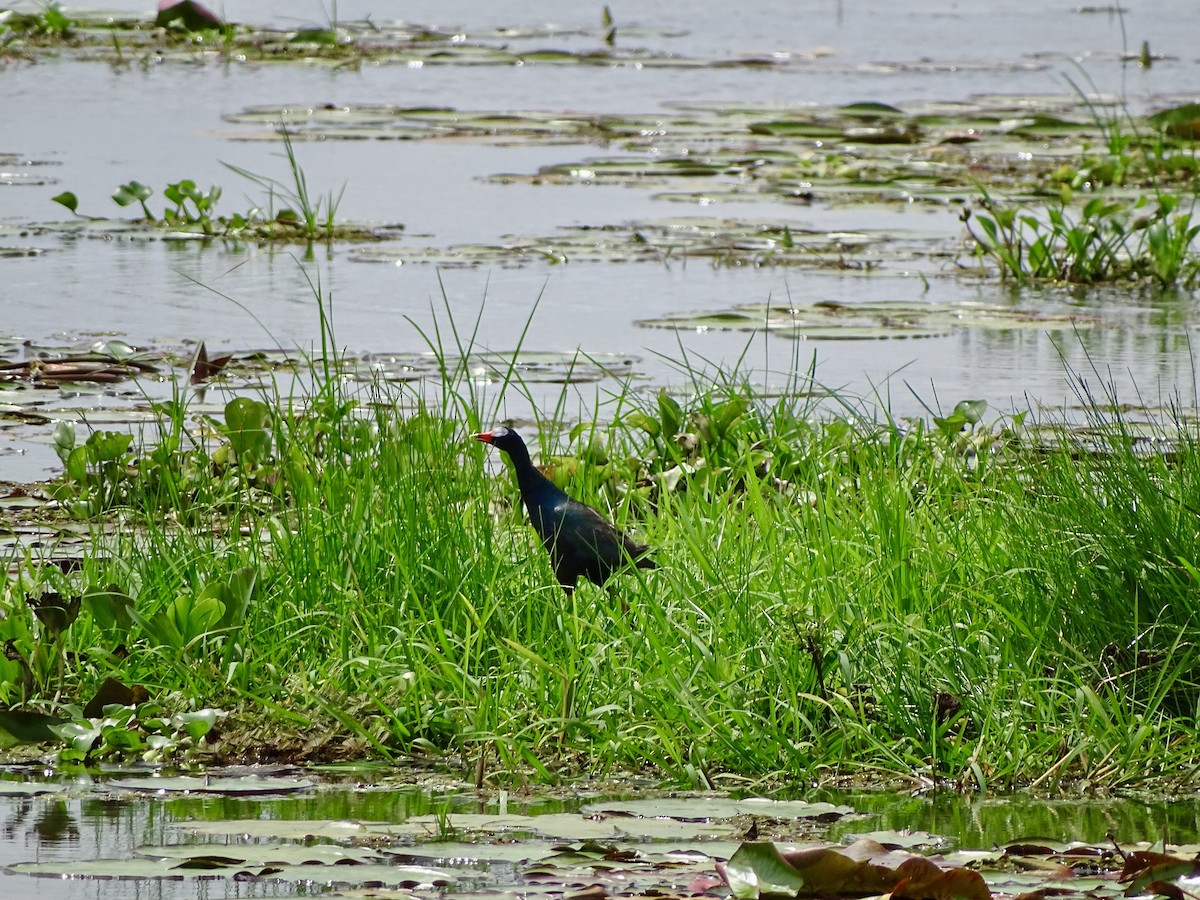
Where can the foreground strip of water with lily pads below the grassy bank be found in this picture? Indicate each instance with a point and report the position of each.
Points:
(230, 830)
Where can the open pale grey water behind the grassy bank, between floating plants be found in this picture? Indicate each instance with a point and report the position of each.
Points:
(94, 128)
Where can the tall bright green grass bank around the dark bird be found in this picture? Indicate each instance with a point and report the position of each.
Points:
(838, 599)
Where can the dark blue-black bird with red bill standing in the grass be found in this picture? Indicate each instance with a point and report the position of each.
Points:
(580, 541)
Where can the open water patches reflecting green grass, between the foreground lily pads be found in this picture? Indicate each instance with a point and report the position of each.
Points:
(86, 823)
